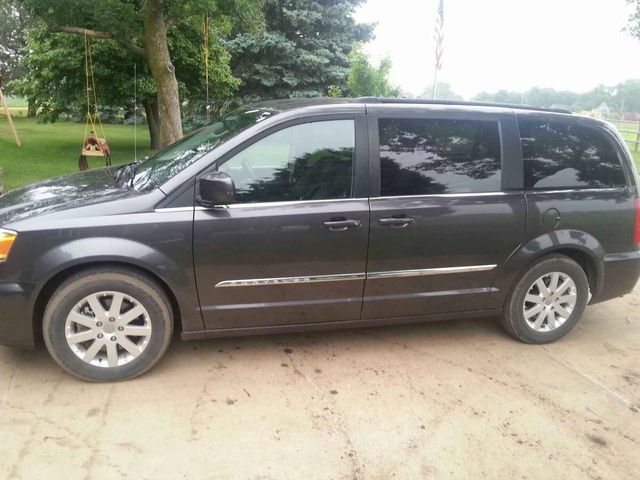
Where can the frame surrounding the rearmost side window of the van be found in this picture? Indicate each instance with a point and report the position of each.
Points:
(587, 124)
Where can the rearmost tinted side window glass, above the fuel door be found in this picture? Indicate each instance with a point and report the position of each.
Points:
(559, 155)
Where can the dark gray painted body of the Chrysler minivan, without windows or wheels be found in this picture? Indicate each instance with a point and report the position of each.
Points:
(81, 220)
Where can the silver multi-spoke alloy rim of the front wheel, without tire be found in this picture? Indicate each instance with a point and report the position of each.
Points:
(108, 329)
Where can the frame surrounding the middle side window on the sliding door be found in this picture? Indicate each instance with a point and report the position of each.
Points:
(510, 151)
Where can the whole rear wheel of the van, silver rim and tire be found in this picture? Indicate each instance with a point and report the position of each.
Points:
(548, 301)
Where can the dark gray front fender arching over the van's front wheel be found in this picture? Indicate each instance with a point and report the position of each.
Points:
(85, 251)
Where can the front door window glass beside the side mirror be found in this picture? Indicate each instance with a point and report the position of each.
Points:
(312, 161)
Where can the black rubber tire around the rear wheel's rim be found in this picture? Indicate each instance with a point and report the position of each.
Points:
(513, 318)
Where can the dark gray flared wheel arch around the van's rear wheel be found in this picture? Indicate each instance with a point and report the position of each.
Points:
(534, 249)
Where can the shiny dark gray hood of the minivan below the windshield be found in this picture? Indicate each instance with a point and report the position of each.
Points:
(94, 186)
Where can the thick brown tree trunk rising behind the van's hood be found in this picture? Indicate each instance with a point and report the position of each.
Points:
(162, 70)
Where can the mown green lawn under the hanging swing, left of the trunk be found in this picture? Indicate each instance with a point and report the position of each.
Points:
(51, 150)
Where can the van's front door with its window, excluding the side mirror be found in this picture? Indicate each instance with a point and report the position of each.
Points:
(292, 250)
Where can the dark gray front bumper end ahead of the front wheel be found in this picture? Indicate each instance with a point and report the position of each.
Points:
(16, 315)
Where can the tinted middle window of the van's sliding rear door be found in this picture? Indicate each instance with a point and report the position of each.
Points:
(421, 156)
